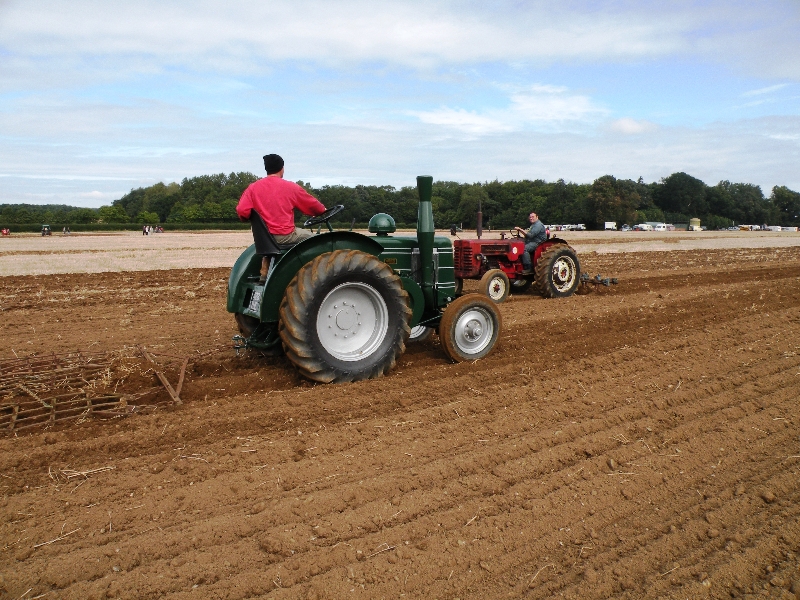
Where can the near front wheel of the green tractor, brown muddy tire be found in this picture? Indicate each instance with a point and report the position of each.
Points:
(469, 327)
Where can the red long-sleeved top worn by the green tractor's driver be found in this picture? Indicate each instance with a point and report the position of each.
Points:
(275, 200)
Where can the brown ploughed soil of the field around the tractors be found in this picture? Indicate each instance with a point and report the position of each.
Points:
(637, 442)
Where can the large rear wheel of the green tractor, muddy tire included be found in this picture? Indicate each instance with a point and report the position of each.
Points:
(344, 317)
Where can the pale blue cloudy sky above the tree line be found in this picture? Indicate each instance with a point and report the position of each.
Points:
(98, 97)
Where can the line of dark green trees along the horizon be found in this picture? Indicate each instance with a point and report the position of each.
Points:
(674, 199)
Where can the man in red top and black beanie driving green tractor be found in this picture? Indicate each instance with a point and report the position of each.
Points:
(275, 199)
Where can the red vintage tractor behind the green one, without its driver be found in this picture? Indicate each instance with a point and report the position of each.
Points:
(498, 265)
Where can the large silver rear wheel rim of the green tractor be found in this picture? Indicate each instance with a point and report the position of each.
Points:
(352, 321)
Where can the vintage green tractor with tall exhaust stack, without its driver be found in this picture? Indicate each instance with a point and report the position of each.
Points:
(342, 305)
